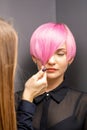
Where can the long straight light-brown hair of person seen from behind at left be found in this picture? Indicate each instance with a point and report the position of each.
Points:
(8, 53)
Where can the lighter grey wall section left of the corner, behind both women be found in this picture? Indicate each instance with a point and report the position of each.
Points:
(26, 16)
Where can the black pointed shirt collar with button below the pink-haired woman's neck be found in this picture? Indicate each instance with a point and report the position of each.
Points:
(57, 94)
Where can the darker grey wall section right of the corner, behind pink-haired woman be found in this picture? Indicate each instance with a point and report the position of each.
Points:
(74, 14)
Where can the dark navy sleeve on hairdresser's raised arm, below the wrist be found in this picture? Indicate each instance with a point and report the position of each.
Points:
(25, 114)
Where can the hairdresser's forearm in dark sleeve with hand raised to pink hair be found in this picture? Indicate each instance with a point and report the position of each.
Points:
(34, 87)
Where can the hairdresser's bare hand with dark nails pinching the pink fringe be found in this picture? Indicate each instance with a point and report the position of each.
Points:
(35, 86)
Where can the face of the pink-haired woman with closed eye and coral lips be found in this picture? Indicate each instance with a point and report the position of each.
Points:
(57, 64)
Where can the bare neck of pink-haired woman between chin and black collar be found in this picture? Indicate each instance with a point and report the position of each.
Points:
(53, 83)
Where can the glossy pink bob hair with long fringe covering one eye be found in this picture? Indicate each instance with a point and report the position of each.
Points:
(48, 37)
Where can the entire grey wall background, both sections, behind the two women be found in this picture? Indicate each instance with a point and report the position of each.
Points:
(27, 15)
